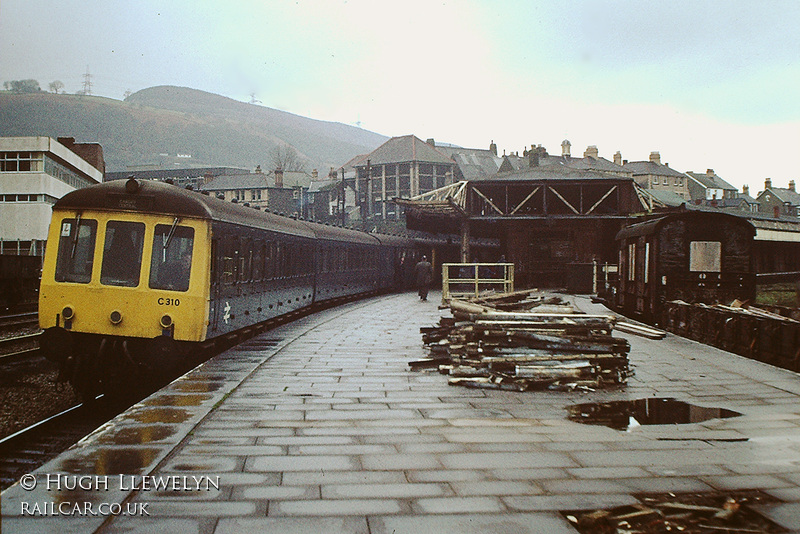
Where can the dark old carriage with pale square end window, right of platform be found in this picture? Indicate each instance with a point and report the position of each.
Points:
(695, 256)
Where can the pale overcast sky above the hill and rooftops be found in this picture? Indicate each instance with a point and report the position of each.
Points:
(708, 84)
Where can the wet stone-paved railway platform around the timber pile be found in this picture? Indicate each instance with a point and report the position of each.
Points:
(320, 426)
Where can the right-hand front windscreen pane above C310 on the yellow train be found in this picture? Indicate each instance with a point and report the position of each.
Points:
(171, 263)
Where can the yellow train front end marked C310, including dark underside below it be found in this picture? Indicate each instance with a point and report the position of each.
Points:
(124, 293)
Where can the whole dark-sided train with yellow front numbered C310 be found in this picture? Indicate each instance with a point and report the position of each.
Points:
(140, 276)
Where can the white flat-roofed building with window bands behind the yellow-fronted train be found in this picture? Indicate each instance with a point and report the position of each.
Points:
(34, 173)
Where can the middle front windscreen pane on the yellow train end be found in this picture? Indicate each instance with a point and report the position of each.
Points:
(122, 254)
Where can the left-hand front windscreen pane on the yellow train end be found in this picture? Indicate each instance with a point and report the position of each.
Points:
(76, 250)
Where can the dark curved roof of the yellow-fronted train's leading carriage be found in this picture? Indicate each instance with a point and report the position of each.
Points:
(162, 198)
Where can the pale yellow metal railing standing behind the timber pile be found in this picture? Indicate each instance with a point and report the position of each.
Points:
(473, 279)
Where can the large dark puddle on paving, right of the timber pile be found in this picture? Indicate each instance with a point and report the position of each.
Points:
(624, 415)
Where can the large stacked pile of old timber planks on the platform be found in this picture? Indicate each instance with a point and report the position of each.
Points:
(553, 347)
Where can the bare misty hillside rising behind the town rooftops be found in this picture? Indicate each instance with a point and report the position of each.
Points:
(152, 126)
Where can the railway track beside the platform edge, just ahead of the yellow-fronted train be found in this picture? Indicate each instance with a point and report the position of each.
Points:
(32, 447)
